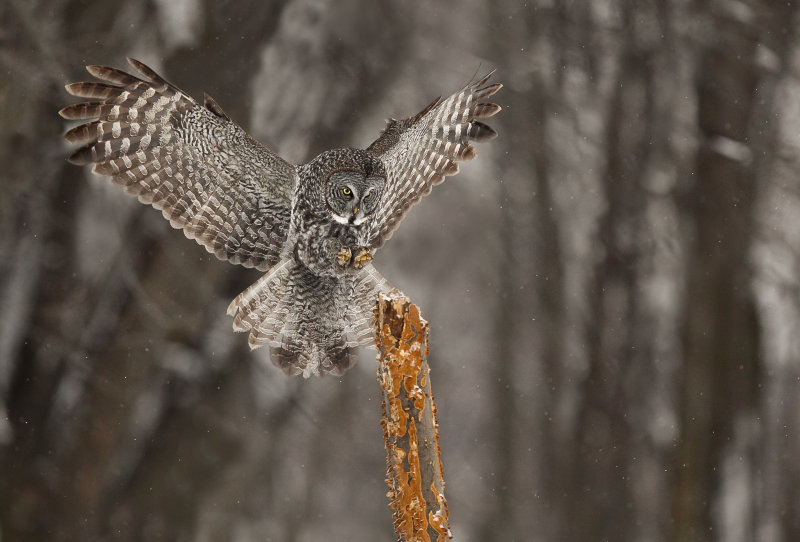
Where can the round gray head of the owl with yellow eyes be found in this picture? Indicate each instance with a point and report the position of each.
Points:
(353, 185)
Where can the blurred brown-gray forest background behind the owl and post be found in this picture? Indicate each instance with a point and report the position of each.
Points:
(612, 285)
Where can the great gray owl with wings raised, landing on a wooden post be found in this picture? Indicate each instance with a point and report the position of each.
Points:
(313, 228)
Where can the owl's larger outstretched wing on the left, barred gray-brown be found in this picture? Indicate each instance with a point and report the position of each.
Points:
(226, 190)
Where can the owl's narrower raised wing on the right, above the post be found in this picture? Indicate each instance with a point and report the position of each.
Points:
(420, 151)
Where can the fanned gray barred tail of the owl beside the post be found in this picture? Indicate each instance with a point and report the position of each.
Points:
(312, 324)
